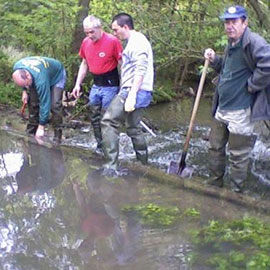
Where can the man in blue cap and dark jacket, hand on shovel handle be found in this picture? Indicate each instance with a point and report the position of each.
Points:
(240, 97)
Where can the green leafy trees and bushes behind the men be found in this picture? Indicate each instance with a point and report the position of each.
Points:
(179, 31)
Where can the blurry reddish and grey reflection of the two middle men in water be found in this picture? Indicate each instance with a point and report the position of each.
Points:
(110, 238)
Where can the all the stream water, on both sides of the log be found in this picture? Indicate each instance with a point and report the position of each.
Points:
(58, 212)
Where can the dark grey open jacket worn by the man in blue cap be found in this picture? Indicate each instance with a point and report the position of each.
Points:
(257, 55)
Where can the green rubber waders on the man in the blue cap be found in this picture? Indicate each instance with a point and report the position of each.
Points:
(240, 147)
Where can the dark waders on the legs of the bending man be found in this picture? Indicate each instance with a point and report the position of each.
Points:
(56, 110)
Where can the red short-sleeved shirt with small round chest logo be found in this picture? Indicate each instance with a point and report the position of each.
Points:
(103, 55)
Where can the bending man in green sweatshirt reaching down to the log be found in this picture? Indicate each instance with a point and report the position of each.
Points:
(43, 81)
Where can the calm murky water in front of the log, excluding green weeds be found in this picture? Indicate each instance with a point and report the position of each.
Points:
(58, 212)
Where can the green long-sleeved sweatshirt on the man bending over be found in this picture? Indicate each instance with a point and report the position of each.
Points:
(46, 72)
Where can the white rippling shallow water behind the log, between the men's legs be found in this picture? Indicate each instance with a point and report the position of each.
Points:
(167, 147)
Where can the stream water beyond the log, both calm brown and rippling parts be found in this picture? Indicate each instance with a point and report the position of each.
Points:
(170, 123)
